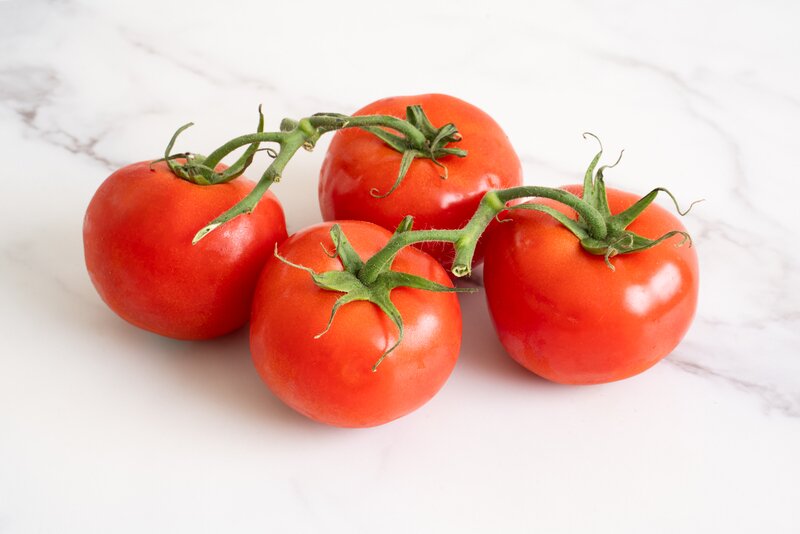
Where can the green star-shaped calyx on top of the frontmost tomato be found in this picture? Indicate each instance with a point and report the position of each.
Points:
(352, 284)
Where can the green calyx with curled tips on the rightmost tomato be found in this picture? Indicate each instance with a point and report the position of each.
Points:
(610, 237)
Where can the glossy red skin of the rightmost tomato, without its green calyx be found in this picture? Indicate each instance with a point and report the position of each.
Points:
(563, 314)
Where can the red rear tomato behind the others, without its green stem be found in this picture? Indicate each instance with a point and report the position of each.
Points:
(357, 163)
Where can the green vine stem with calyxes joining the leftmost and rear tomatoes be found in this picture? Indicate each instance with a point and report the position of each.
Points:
(415, 137)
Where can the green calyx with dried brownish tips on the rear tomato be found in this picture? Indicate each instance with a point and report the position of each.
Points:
(432, 145)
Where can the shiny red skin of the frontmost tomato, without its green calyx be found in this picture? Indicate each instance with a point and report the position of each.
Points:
(330, 379)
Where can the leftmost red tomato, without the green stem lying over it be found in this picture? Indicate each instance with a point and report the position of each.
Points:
(138, 235)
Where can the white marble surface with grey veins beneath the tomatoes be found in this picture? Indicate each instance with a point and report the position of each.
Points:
(104, 428)
